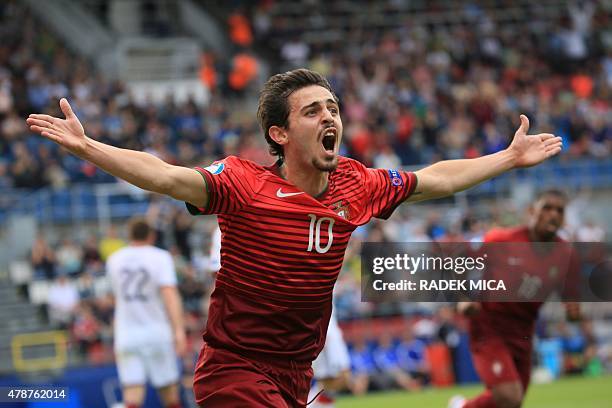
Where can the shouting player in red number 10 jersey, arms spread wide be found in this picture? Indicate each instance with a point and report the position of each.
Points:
(284, 229)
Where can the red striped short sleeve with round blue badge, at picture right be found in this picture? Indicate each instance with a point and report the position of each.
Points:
(388, 189)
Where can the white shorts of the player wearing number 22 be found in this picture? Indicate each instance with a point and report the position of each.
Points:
(155, 362)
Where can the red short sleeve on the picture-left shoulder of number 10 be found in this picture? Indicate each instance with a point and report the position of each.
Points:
(229, 185)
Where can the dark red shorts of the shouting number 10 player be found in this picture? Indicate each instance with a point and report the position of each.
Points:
(226, 379)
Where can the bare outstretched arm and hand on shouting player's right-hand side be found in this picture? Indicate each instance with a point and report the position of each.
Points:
(451, 176)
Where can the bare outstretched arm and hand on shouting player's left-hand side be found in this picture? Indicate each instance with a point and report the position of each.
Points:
(138, 168)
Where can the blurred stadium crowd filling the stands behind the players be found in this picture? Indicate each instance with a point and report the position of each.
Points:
(410, 95)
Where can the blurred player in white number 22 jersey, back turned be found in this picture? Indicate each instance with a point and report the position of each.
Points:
(149, 330)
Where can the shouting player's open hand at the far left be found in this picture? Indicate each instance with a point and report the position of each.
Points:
(68, 133)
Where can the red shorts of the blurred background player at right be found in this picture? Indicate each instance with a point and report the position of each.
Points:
(498, 360)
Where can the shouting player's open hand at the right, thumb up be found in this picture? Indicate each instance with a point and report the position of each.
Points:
(530, 150)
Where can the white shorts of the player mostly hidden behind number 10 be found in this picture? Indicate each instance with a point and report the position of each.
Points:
(334, 357)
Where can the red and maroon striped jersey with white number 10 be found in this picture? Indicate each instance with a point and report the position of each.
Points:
(282, 250)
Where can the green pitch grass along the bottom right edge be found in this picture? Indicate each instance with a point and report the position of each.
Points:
(575, 392)
